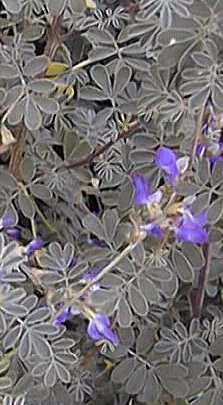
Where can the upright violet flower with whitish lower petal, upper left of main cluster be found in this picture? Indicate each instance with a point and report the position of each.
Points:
(143, 196)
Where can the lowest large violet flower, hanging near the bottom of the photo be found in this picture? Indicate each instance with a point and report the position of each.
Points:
(99, 328)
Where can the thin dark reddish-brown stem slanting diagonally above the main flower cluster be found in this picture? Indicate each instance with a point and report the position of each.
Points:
(99, 150)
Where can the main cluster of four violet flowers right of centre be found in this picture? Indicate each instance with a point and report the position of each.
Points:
(187, 227)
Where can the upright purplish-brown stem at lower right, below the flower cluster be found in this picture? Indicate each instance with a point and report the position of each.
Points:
(198, 299)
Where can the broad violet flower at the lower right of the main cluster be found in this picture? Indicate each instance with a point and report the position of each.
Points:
(191, 228)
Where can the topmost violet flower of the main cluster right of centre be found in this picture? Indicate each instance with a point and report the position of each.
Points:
(165, 159)
